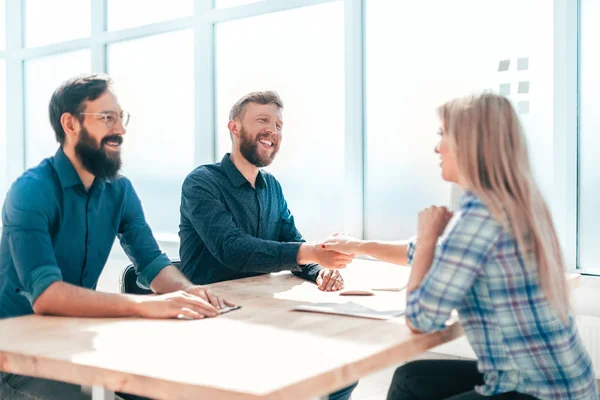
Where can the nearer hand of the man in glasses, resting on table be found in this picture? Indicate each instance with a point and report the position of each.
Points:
(179, 304)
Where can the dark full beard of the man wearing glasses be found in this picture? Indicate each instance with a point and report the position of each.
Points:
(95, 159)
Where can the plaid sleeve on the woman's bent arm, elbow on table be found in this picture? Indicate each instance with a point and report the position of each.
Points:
(458, 260)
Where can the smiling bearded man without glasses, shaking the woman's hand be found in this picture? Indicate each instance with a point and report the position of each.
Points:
(235, 222)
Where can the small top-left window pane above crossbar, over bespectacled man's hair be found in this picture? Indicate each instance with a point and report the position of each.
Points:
(56, 21)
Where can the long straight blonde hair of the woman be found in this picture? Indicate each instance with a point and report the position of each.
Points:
(491, 153)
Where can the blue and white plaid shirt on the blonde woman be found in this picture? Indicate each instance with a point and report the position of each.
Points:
(520, 341)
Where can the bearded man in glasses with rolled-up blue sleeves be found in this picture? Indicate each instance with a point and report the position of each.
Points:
(60, 220)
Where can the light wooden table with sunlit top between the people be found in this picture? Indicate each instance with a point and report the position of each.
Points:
(263, 351)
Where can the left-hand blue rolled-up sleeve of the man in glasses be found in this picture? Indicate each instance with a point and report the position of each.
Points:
(26, 219)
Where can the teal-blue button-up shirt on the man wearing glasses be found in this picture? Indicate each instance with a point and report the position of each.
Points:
(55, 230)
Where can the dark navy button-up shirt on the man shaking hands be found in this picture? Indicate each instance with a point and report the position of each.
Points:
(230, 230)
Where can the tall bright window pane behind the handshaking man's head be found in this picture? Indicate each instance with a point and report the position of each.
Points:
(311, 158)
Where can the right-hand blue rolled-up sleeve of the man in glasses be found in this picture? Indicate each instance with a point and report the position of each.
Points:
(138, 242)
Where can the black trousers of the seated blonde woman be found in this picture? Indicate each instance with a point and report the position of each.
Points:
(442, 379)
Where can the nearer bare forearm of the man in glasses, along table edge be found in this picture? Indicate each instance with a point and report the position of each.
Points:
(67, 300)
